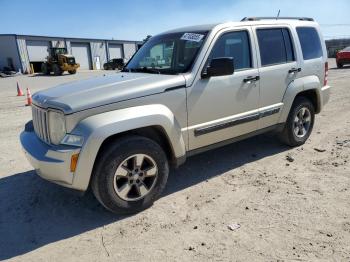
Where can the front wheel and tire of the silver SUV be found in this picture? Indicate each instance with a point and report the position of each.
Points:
(115, 170)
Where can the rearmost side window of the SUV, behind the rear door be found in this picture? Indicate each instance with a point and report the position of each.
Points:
(310, 42)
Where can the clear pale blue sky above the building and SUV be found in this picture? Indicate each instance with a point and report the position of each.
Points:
(134, 20)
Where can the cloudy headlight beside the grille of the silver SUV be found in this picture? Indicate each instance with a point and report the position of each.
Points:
(57, 127)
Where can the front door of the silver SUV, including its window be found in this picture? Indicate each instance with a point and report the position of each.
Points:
(224, 107)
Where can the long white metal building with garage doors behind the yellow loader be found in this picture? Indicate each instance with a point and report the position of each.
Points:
(20, 51)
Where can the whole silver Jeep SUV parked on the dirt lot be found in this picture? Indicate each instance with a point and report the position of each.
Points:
(185, 91)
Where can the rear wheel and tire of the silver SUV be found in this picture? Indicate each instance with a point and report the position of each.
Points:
(295, 133)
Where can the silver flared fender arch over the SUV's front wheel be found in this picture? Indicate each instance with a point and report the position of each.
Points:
(155, 122)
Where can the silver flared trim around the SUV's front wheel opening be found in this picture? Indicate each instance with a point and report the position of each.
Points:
(95, 129)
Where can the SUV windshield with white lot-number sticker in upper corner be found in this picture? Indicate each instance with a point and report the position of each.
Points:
(167, 54)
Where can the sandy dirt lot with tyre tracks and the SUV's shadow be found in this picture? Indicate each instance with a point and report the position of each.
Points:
(291, 204)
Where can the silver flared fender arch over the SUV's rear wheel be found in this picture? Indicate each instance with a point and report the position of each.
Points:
(297, 86)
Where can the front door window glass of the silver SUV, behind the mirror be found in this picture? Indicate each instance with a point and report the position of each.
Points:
(235, 45)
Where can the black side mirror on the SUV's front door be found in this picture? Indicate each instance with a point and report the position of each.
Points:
(221, 66)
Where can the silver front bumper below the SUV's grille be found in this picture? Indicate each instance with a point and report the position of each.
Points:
(50, 162)
